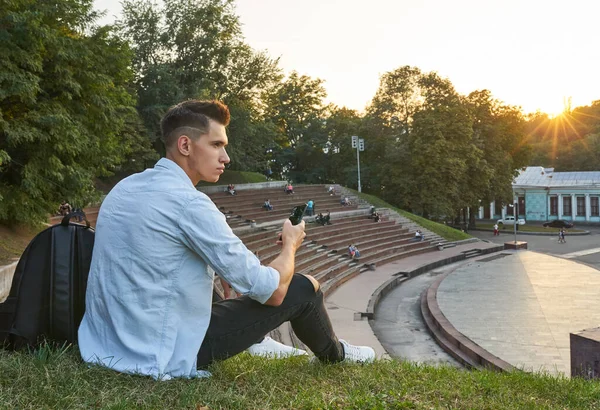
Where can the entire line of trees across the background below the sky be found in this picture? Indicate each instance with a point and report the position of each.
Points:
(79, 101)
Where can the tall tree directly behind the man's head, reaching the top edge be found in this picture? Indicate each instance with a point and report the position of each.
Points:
(194, 49)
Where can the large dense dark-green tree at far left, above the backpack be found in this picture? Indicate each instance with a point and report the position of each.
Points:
(65, 106)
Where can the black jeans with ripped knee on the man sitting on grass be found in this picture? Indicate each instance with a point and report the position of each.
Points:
(236, 324)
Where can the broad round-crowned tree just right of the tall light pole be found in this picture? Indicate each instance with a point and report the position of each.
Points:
(423, 142)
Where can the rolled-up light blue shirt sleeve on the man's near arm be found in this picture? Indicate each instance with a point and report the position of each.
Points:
(206, 232)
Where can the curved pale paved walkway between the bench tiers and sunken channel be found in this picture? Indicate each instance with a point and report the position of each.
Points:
(353, 296)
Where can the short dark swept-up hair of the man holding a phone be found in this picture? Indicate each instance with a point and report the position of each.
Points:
(192, 118)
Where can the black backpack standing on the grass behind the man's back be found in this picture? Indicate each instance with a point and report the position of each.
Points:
(47, 295)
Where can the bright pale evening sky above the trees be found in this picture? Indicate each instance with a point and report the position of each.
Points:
(529, 53)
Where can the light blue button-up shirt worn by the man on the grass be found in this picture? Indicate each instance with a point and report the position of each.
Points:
(149, 293)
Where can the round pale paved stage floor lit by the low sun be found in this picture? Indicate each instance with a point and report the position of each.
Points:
(521, 307)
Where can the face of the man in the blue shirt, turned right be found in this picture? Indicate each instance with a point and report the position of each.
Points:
(207, 154)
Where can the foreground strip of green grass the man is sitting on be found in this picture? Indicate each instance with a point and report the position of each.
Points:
(55, 378)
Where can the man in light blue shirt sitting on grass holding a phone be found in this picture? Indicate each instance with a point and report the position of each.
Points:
(148, 301)
